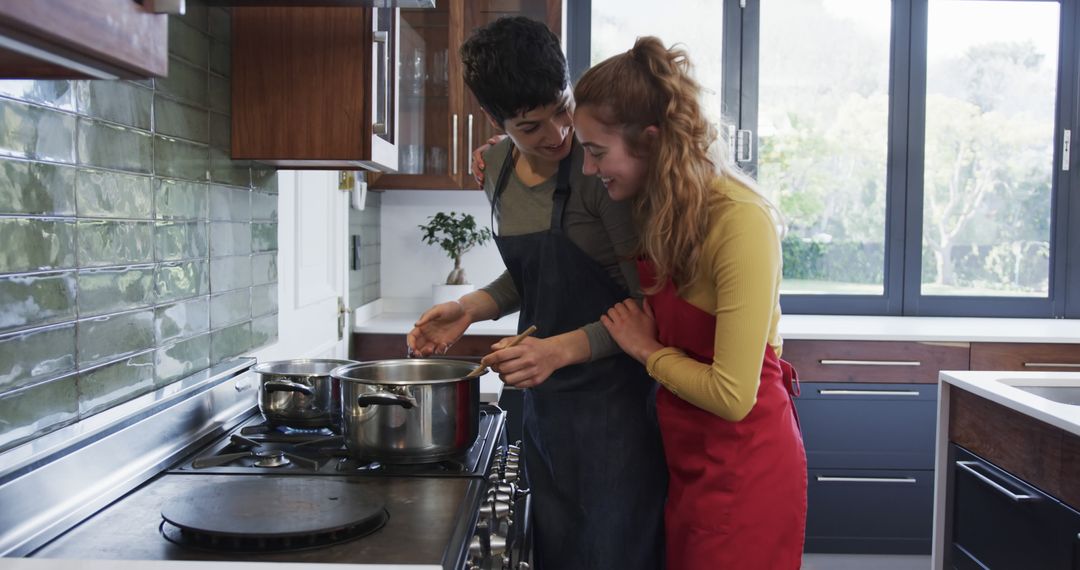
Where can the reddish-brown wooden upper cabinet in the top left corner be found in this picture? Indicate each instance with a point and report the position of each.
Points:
(82, 39)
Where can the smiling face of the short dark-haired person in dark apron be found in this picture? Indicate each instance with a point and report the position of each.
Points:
(546, 132)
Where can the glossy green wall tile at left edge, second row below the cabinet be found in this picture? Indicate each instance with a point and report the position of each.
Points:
(36, 133)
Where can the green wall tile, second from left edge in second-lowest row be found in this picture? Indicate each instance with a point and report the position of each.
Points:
(106, 338)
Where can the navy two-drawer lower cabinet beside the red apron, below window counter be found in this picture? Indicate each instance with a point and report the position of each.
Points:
(871, 460)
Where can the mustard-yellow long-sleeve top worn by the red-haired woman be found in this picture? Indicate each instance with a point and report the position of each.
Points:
(739, 282)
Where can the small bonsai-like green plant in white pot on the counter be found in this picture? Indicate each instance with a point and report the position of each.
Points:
(455, 234)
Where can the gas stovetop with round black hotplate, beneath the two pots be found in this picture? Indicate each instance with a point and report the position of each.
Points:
(360, 512)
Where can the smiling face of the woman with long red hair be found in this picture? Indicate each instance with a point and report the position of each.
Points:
(609, 156)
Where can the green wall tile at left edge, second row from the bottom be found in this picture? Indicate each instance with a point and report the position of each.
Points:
(37, 355)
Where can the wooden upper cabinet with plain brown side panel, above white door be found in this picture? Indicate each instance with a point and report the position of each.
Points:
(314, 88)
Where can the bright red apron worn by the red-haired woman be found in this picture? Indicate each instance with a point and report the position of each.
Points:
(737, 495)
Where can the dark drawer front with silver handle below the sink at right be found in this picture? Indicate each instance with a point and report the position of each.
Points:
(1002, 523)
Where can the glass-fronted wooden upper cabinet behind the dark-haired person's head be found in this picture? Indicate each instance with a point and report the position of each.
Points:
(440, 120)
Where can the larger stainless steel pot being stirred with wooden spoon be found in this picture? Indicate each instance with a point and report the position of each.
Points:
(409, 411)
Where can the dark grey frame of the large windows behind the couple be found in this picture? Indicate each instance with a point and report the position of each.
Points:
(904, 178)
